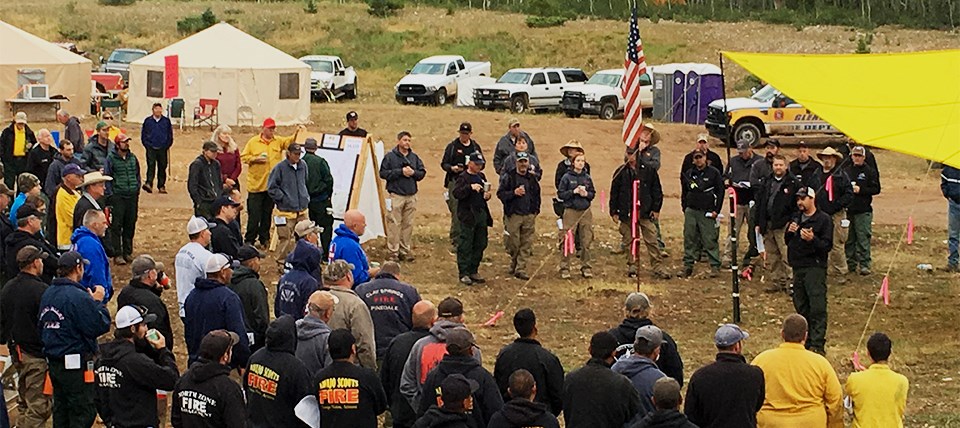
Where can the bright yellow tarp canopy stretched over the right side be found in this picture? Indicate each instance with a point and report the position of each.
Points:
(907, 102)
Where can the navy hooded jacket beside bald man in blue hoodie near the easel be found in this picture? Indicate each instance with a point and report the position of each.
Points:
(296, 286)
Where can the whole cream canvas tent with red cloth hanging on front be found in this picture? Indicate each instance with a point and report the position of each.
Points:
(251, 79)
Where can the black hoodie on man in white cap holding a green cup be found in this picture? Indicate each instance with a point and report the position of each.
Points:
(128, 377)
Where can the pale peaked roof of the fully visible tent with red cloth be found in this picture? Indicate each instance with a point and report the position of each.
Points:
(223, 46)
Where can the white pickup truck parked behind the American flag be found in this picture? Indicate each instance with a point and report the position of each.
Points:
(601, 95)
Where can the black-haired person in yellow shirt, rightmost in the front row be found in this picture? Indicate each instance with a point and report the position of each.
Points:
(877, 396)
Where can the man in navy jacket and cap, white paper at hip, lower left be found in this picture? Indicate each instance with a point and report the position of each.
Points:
(71, 319)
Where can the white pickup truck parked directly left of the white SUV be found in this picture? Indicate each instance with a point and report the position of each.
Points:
(434, 79)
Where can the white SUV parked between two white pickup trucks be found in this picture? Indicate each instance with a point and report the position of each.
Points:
(522, 88)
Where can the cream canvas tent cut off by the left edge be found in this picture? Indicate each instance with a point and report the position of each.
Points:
(25, 58)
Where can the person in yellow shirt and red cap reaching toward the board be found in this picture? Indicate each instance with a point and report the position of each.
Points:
(261, 153)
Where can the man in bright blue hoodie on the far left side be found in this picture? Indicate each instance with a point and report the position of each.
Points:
(87, 241)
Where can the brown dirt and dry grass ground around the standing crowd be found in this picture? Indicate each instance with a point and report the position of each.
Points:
(690, 309)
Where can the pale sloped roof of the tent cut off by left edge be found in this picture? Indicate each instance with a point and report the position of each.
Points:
(23, 48)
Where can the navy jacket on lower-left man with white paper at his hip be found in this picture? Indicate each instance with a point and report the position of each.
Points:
(70, 320)
